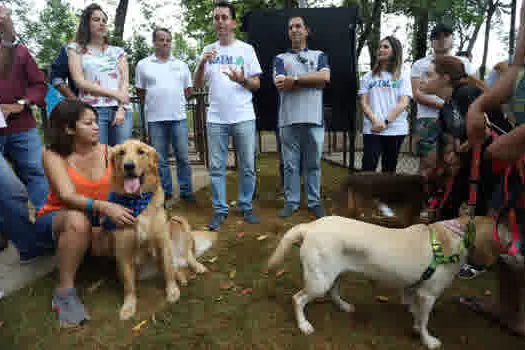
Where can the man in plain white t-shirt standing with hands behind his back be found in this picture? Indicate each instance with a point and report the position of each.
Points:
(163, 83)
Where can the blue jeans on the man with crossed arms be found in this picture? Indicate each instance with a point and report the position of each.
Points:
(302, 145)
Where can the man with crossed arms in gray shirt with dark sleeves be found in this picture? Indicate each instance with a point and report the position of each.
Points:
(300, 75)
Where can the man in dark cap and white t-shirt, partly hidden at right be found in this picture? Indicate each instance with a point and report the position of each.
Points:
(428, 106)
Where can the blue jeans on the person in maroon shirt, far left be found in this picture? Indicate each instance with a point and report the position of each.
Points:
(24, 151)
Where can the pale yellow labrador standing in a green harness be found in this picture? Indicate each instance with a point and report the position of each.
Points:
(400, 258)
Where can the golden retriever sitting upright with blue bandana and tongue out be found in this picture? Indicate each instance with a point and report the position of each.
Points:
(135, 184)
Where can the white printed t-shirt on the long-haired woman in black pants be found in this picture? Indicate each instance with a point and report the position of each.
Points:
(383, 94)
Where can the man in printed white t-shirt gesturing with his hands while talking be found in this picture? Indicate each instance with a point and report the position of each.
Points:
(232, 69)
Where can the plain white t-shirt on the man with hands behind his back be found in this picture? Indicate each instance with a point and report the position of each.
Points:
(164, 83)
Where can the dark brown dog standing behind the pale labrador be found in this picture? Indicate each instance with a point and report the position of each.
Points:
(362, 193)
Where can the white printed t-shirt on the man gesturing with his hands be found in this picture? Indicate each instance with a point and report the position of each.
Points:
(230, 102)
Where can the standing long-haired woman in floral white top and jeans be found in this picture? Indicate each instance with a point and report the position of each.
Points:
(101, 74)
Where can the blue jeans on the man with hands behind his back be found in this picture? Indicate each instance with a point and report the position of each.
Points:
(174, 132)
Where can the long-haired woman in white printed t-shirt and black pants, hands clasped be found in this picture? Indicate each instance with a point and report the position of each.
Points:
(385, 94)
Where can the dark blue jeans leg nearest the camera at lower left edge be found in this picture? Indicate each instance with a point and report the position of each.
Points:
(14, 214)
